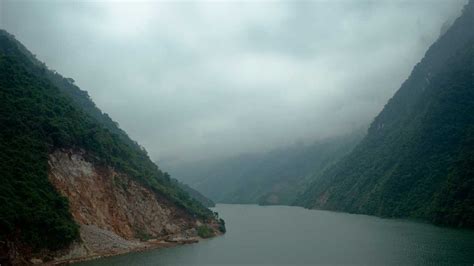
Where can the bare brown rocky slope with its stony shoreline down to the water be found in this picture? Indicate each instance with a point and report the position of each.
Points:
(115, 214)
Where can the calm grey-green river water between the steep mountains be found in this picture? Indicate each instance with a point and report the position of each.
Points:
(292, 235)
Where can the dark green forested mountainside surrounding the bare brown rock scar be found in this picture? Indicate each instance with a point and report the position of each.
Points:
(43, 114)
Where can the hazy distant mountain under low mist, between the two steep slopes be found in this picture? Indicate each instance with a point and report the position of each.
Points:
(274, 177)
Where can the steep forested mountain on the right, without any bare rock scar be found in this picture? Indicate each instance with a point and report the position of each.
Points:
(417, 159)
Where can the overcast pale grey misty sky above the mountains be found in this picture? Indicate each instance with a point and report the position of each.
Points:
(189, 80)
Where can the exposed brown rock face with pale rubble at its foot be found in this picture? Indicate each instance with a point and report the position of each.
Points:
(113, 210)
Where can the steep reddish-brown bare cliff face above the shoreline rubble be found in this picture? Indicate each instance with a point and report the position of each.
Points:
(98, 195)
